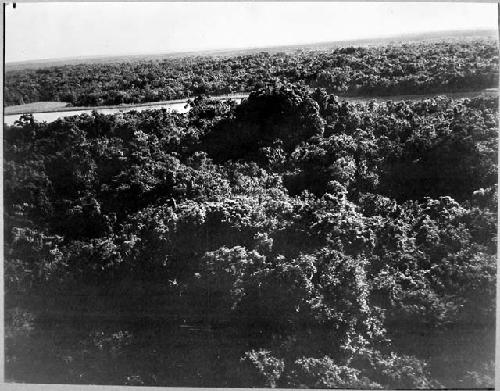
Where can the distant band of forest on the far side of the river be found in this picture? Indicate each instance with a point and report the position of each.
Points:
(416, 68)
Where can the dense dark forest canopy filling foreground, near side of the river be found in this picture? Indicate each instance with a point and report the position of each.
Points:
(311, 243)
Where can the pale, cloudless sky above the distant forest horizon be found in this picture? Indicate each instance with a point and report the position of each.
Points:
(60, 30)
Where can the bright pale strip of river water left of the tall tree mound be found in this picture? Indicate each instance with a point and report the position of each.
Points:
(179, 107)
